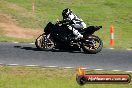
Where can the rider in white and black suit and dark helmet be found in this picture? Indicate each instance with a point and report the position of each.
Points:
(69, 16)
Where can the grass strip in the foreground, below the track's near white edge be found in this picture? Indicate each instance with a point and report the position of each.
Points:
(36, 77)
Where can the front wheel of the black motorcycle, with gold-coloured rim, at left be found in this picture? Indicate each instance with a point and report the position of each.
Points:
(44, 42)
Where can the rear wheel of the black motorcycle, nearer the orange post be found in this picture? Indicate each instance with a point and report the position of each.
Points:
(93, 48)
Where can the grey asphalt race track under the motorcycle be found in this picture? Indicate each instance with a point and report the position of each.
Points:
(27, 54)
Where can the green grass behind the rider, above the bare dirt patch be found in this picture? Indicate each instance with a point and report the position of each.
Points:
(93, 12)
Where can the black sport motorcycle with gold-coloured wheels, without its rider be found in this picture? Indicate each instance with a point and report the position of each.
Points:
(58, 34)
